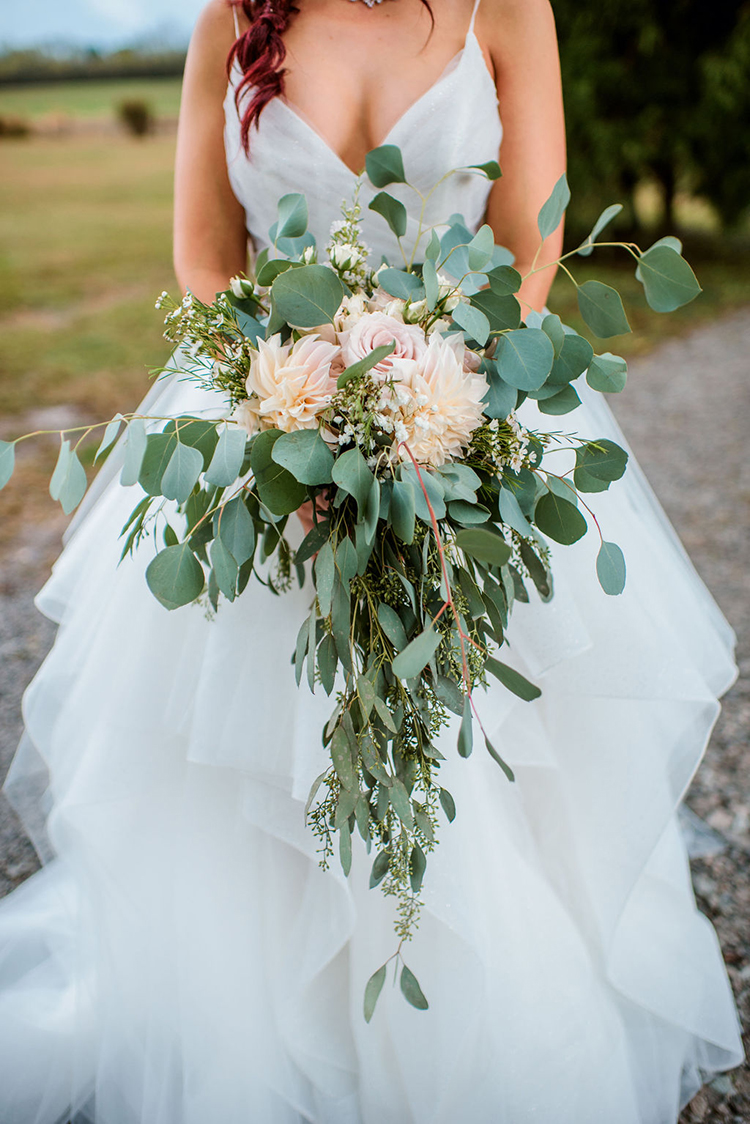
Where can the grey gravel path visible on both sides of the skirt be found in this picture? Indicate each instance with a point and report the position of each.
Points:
(697, 385)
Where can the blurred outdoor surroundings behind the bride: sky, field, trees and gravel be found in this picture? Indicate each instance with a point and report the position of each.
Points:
(658, 112)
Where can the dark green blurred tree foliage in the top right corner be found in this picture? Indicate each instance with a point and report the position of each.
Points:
(658, 89)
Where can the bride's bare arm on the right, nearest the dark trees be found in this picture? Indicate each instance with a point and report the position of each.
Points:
(523, 47)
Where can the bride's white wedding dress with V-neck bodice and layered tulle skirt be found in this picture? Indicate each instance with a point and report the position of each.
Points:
(183, 959)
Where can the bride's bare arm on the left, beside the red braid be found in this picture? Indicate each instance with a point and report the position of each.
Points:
(211, 242)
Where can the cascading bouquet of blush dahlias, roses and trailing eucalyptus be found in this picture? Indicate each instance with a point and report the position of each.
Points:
(385, 400)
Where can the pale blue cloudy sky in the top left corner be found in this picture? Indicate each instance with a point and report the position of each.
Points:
(96, 23)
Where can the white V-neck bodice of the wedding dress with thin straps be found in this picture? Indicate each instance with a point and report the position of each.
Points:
(455, 124)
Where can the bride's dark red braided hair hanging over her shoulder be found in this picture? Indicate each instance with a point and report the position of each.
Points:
(261, 53)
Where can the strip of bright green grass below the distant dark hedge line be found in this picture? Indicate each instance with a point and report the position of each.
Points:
(89, 99)
